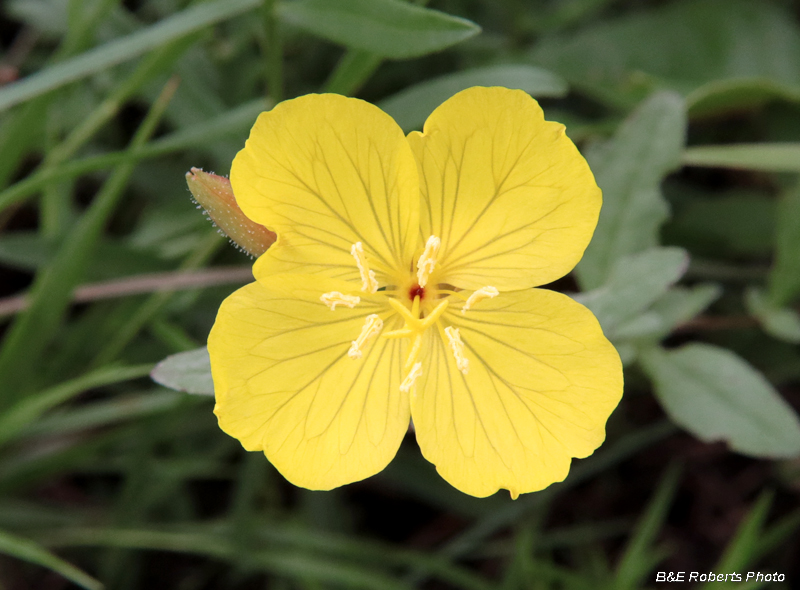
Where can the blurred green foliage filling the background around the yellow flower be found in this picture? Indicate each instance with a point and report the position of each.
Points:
(689, 114)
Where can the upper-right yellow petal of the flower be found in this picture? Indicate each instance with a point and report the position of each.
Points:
(512, 200)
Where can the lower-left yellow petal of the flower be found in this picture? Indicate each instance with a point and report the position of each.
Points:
(284, 382)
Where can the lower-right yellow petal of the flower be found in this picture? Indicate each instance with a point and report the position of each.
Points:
(542, 382)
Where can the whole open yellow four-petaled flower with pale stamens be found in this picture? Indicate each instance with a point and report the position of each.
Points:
(400, 288)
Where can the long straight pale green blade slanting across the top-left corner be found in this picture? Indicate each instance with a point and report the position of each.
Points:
(114, 52)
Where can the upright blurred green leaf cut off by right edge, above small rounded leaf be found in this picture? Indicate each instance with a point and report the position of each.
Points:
(784, 278)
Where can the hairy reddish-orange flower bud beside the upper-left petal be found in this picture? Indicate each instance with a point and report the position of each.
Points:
(214, 194)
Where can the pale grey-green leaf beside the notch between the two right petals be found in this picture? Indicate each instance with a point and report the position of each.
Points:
(636, 281)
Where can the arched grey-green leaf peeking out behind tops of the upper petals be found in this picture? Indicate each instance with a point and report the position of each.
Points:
(411, 106)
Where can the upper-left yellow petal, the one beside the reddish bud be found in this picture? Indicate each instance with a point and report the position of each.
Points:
(324, 172)
